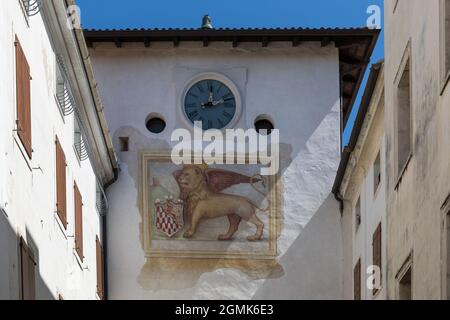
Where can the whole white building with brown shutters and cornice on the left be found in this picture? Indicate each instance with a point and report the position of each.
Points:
(55, 158)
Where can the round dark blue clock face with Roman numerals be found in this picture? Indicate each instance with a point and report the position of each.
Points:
(211, 102)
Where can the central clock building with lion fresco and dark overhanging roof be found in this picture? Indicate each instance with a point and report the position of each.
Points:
(302, 82)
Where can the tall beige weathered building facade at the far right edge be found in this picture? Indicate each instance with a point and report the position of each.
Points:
(417, 51)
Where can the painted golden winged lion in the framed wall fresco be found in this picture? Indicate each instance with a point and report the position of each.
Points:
(201, 192)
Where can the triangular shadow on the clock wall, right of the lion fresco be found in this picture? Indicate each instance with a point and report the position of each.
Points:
(318, 245)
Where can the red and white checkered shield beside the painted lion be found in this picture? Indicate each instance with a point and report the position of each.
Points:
(169, 217)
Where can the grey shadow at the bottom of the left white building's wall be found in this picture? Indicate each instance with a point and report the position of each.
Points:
(10, 266)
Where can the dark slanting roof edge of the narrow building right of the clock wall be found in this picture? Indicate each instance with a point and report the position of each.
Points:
(360, 118)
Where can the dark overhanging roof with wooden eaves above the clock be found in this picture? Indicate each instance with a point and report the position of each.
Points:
(355, 45)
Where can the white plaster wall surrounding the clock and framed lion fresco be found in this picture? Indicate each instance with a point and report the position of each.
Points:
(297, 87)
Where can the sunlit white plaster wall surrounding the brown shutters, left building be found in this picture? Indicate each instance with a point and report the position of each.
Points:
(27, 188)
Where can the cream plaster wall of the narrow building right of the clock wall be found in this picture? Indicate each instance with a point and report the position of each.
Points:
(358, 241)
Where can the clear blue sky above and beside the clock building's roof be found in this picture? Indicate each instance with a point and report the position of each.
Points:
(232, 14)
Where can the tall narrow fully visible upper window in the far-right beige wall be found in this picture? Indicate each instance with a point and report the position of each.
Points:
(404, 119)
